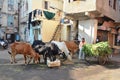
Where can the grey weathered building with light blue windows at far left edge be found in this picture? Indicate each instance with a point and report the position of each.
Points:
(8, 19)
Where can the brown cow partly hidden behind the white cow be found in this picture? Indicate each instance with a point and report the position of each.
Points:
(73, 46)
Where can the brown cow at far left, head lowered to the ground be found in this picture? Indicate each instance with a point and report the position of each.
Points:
(23, 48)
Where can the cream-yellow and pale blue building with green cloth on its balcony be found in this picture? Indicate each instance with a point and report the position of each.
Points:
(36, 21)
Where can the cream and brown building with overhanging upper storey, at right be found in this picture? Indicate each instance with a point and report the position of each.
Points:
(95, 19)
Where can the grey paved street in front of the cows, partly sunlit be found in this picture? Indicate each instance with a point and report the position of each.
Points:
(79, 70)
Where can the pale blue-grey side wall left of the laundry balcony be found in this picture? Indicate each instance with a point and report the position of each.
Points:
(25, 7)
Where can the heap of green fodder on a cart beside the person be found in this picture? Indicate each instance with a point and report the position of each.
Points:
(100, 50)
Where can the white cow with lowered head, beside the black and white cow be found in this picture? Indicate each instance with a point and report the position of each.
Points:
(62, 46)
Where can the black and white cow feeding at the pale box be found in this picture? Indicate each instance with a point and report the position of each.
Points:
(49, 50)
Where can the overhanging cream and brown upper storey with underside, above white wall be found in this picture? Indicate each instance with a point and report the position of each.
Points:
(91, 8)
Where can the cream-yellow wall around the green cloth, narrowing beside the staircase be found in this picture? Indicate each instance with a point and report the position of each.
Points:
(48, 26)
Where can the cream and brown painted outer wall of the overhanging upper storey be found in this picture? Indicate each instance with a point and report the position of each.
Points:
(100, 6)
